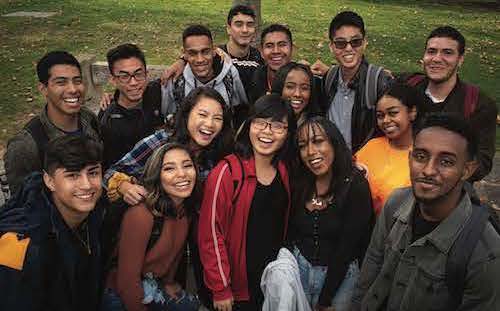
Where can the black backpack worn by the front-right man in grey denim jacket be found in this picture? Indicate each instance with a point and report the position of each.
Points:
(461, 251)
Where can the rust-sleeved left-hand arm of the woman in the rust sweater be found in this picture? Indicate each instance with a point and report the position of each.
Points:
(134, 236)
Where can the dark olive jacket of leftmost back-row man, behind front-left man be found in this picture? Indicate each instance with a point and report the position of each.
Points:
(22, 158)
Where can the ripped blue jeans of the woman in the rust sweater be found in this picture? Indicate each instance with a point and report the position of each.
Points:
(156, 299)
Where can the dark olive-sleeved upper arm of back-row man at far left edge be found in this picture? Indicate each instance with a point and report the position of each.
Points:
(21, 159)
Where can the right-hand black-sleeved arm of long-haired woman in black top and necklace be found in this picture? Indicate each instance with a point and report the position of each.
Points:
(357, 227)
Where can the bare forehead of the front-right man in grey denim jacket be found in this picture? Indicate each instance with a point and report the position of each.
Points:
(440, 140)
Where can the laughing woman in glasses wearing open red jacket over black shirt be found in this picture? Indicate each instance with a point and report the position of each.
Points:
(245, 207)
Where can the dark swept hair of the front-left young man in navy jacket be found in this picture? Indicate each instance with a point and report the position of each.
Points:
(72, 152)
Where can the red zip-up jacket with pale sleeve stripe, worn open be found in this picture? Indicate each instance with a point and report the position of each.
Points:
(222, 229)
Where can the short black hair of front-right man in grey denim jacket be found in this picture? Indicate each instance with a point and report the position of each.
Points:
(452, 122)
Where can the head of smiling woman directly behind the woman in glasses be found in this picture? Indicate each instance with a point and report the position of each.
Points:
(294, 82)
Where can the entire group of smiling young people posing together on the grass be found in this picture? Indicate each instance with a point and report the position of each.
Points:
(208, 175)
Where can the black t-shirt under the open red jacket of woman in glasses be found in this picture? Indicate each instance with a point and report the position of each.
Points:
(265, 227)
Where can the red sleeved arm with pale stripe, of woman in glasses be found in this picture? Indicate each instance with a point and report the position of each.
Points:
(213, 221)
